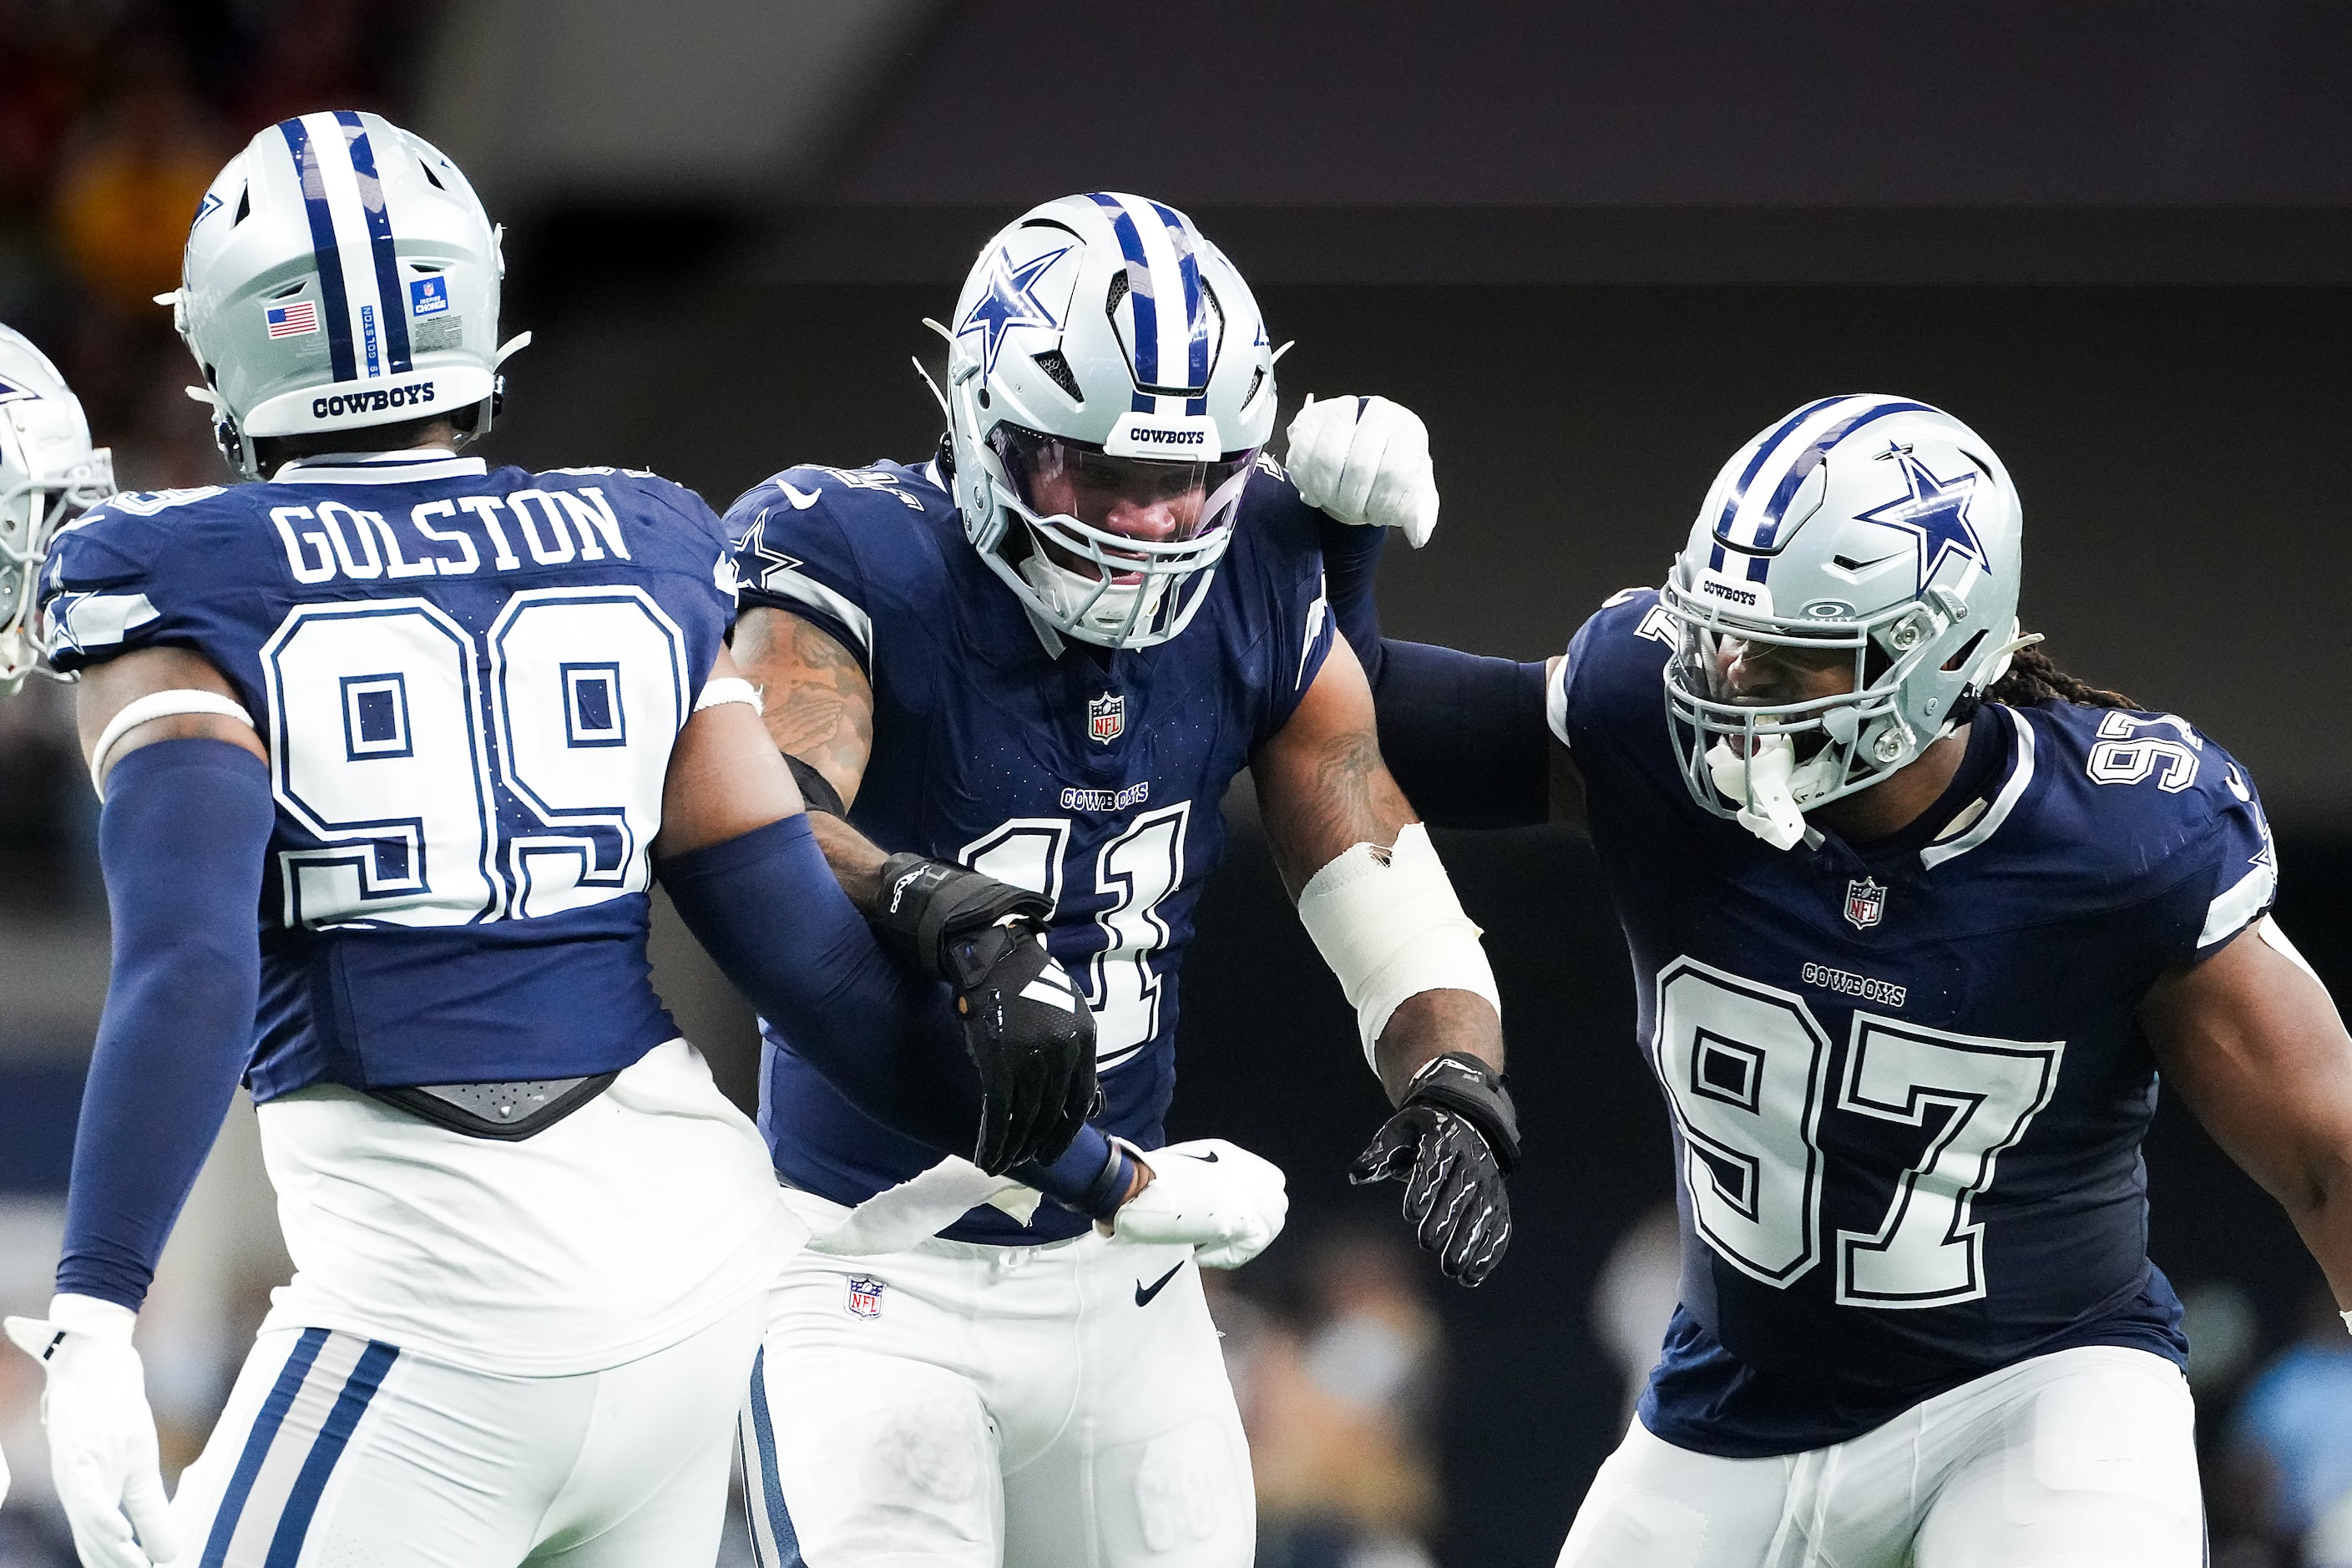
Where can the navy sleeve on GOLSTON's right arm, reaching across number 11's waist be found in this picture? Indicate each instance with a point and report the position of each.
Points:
(770, 913)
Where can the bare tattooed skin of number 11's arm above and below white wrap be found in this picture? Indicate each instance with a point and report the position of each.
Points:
(1323, 789)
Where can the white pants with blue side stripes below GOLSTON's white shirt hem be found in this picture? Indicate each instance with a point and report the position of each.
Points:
(349, 1454)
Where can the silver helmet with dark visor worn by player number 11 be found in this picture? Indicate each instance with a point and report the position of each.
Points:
(1109, 389)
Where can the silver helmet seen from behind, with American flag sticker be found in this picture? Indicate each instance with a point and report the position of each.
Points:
(340, 274)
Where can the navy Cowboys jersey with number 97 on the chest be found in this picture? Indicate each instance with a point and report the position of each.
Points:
(1906, 1078)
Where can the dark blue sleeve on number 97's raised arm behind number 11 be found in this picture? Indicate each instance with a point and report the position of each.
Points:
(1462, 735)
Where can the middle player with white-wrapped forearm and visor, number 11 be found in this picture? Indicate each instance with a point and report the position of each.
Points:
(1022, 674)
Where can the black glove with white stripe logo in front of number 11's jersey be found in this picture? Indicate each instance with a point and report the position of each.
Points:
(1029, 1033)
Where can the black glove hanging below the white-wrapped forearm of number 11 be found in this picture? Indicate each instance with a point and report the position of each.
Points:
(1452, 1144)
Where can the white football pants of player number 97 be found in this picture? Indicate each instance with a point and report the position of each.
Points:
(2083, 1459)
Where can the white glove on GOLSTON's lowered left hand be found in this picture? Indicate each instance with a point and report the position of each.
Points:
(102, 1435)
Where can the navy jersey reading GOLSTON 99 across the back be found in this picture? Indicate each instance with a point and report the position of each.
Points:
(469, 685)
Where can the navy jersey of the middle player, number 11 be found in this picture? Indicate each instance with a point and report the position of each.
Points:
(1083, 775)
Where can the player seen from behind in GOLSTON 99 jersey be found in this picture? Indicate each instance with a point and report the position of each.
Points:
(439, 728)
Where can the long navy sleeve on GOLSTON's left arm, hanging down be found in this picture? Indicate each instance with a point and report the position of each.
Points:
(185, 840)
